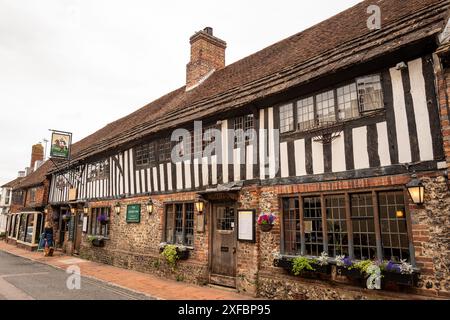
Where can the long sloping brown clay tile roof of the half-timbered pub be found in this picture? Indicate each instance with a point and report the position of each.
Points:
(330, 46)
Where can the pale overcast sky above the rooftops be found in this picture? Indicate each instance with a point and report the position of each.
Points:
(76, 65)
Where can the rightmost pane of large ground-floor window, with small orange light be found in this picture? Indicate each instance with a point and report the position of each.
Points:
(393, 227)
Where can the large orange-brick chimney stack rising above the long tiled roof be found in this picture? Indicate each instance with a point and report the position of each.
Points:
(207, 56)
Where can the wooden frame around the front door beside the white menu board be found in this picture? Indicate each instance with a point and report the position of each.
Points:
(212, 226)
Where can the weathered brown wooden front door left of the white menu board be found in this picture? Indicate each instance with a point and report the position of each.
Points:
(223, 255)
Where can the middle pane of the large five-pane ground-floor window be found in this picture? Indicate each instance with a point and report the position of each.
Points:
(337, 226)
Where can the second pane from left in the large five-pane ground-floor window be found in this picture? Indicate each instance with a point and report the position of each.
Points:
(313, 226)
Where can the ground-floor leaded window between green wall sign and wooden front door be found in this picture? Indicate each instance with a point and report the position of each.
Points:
(179, 227)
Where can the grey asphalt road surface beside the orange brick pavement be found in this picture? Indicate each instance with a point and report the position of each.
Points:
(23, 279)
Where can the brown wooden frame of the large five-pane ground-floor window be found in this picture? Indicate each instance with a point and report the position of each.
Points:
(347, 194)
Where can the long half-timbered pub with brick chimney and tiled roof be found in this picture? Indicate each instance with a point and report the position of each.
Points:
(324, 129)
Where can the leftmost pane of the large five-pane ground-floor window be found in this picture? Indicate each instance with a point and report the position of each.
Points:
(291, 220)
